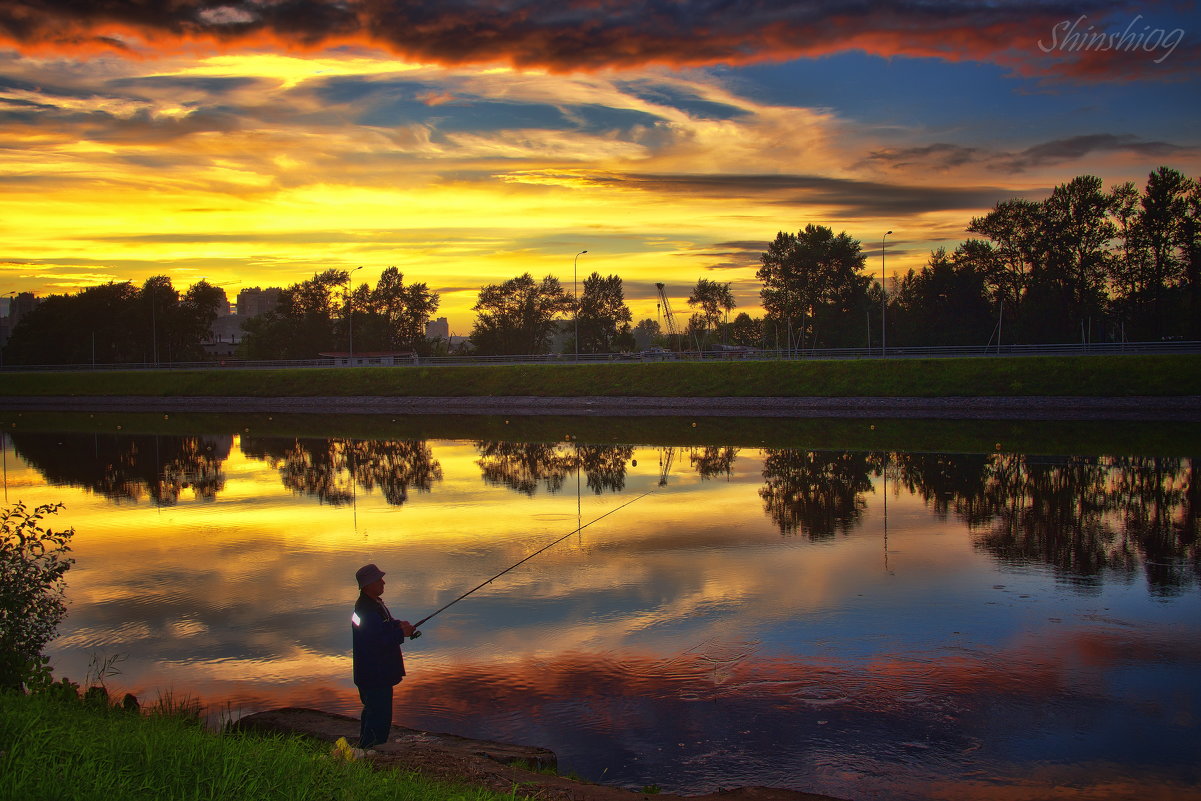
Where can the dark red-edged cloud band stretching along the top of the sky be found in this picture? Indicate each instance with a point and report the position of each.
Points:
(582, 34)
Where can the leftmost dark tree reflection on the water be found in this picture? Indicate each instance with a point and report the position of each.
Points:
(129, 468)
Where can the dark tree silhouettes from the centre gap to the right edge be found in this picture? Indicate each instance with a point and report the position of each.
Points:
(1086, 264)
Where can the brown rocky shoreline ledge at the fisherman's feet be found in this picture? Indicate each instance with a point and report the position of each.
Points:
(482, 763)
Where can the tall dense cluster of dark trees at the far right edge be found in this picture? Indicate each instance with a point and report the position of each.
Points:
(1085, 264)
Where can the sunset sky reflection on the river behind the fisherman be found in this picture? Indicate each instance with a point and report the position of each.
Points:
(690, 618)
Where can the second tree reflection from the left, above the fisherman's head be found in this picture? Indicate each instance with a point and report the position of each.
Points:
(334, 470)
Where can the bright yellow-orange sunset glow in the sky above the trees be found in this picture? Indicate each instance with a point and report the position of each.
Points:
(295, 182)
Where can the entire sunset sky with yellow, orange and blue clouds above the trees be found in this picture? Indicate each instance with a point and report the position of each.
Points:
(255, 142)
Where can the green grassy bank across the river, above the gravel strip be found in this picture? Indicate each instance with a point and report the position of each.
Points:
(1032, 376)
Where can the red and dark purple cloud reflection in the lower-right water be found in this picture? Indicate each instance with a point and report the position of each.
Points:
(964, 714)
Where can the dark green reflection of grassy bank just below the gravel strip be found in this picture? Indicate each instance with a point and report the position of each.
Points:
(868, 433)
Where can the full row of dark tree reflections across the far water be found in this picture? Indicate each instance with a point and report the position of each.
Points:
(1089, 517)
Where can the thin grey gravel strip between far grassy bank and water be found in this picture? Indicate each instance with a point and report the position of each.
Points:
(1182, 409)
